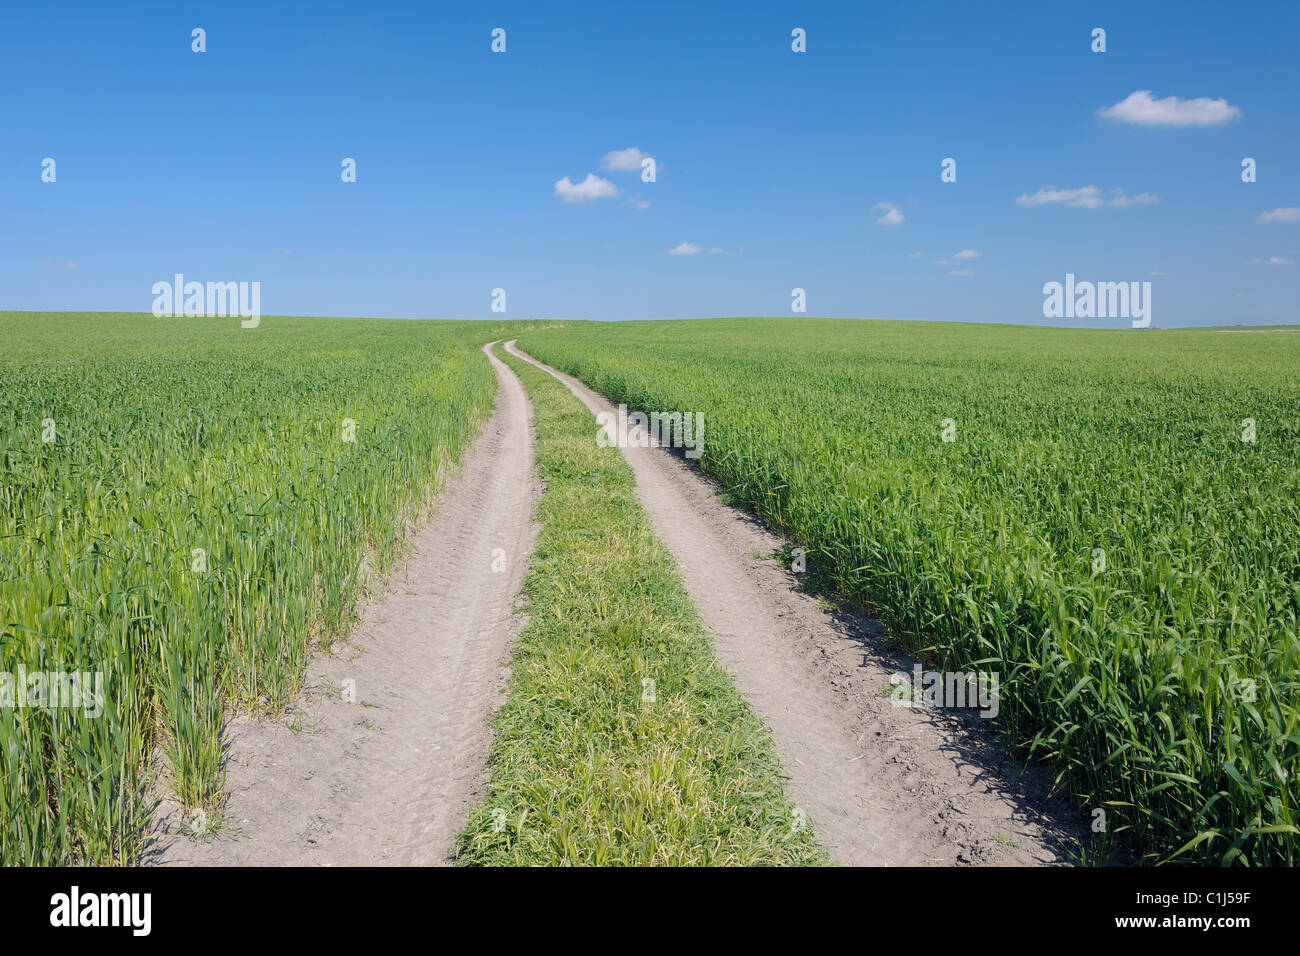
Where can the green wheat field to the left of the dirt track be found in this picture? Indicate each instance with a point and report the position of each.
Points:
(183, 512)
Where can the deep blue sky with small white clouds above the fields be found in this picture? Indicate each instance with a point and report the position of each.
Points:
(226, 166)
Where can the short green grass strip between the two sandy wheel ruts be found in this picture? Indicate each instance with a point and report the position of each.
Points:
(622, 739)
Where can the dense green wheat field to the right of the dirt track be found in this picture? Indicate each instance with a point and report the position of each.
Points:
(1115, 527)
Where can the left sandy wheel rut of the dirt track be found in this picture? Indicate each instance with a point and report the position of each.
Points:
(387, 780)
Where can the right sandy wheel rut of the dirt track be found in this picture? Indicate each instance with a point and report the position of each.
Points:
(882, 784)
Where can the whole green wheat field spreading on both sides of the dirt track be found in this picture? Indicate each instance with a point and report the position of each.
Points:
(1111, 521)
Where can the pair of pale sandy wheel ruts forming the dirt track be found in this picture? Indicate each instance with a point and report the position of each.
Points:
(388, 780)
